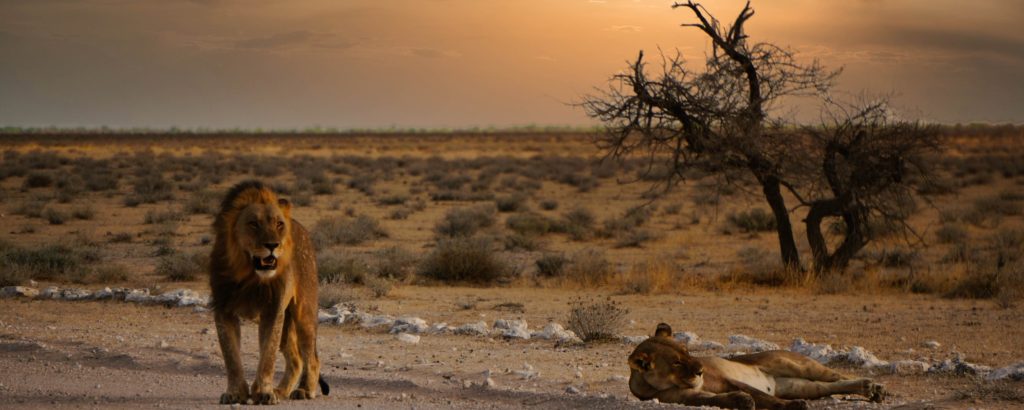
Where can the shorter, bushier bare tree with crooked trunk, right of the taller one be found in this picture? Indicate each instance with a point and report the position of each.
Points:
(870, 166)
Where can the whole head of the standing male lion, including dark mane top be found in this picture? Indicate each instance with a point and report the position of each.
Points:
(258, 226)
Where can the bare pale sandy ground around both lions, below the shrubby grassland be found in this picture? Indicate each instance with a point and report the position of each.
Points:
(116, 355)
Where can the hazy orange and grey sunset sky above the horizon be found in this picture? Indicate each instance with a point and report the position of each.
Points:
(278, 64)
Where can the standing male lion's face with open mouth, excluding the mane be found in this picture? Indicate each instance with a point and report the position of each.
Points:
(263, 231)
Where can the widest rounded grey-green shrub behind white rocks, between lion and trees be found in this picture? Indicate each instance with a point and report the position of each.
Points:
(465, 261)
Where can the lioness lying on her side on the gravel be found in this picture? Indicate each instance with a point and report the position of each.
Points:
(662, 368)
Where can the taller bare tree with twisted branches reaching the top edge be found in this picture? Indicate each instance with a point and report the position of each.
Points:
(716, 120)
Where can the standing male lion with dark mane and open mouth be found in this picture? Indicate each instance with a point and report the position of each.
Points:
(263, 265)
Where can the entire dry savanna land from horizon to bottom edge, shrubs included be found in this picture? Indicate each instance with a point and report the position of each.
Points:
(465, 228)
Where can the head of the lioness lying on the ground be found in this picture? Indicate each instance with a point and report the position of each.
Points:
(664, 363)
